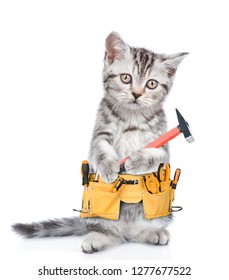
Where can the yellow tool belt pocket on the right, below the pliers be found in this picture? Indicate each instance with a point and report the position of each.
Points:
(157, 204)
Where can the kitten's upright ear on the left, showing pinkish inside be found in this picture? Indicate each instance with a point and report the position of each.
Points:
(116, 48)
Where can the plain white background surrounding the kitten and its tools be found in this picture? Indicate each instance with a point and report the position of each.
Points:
(51, 58)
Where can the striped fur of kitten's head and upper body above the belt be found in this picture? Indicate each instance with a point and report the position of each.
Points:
(131, 115)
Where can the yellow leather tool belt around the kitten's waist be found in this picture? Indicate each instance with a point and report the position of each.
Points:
(155, 190)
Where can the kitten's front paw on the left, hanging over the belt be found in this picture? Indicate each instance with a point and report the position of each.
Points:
(108, 171)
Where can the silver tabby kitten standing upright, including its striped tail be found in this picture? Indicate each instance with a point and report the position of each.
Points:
(136, 83)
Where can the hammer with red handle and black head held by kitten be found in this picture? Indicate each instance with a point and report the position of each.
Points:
(183, 127)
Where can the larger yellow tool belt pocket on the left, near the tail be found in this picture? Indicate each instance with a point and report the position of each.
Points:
(100, 201)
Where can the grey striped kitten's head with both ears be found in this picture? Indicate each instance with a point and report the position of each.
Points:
(136, 78)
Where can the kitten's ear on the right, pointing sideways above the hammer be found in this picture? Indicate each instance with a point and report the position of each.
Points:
(171, 62)
